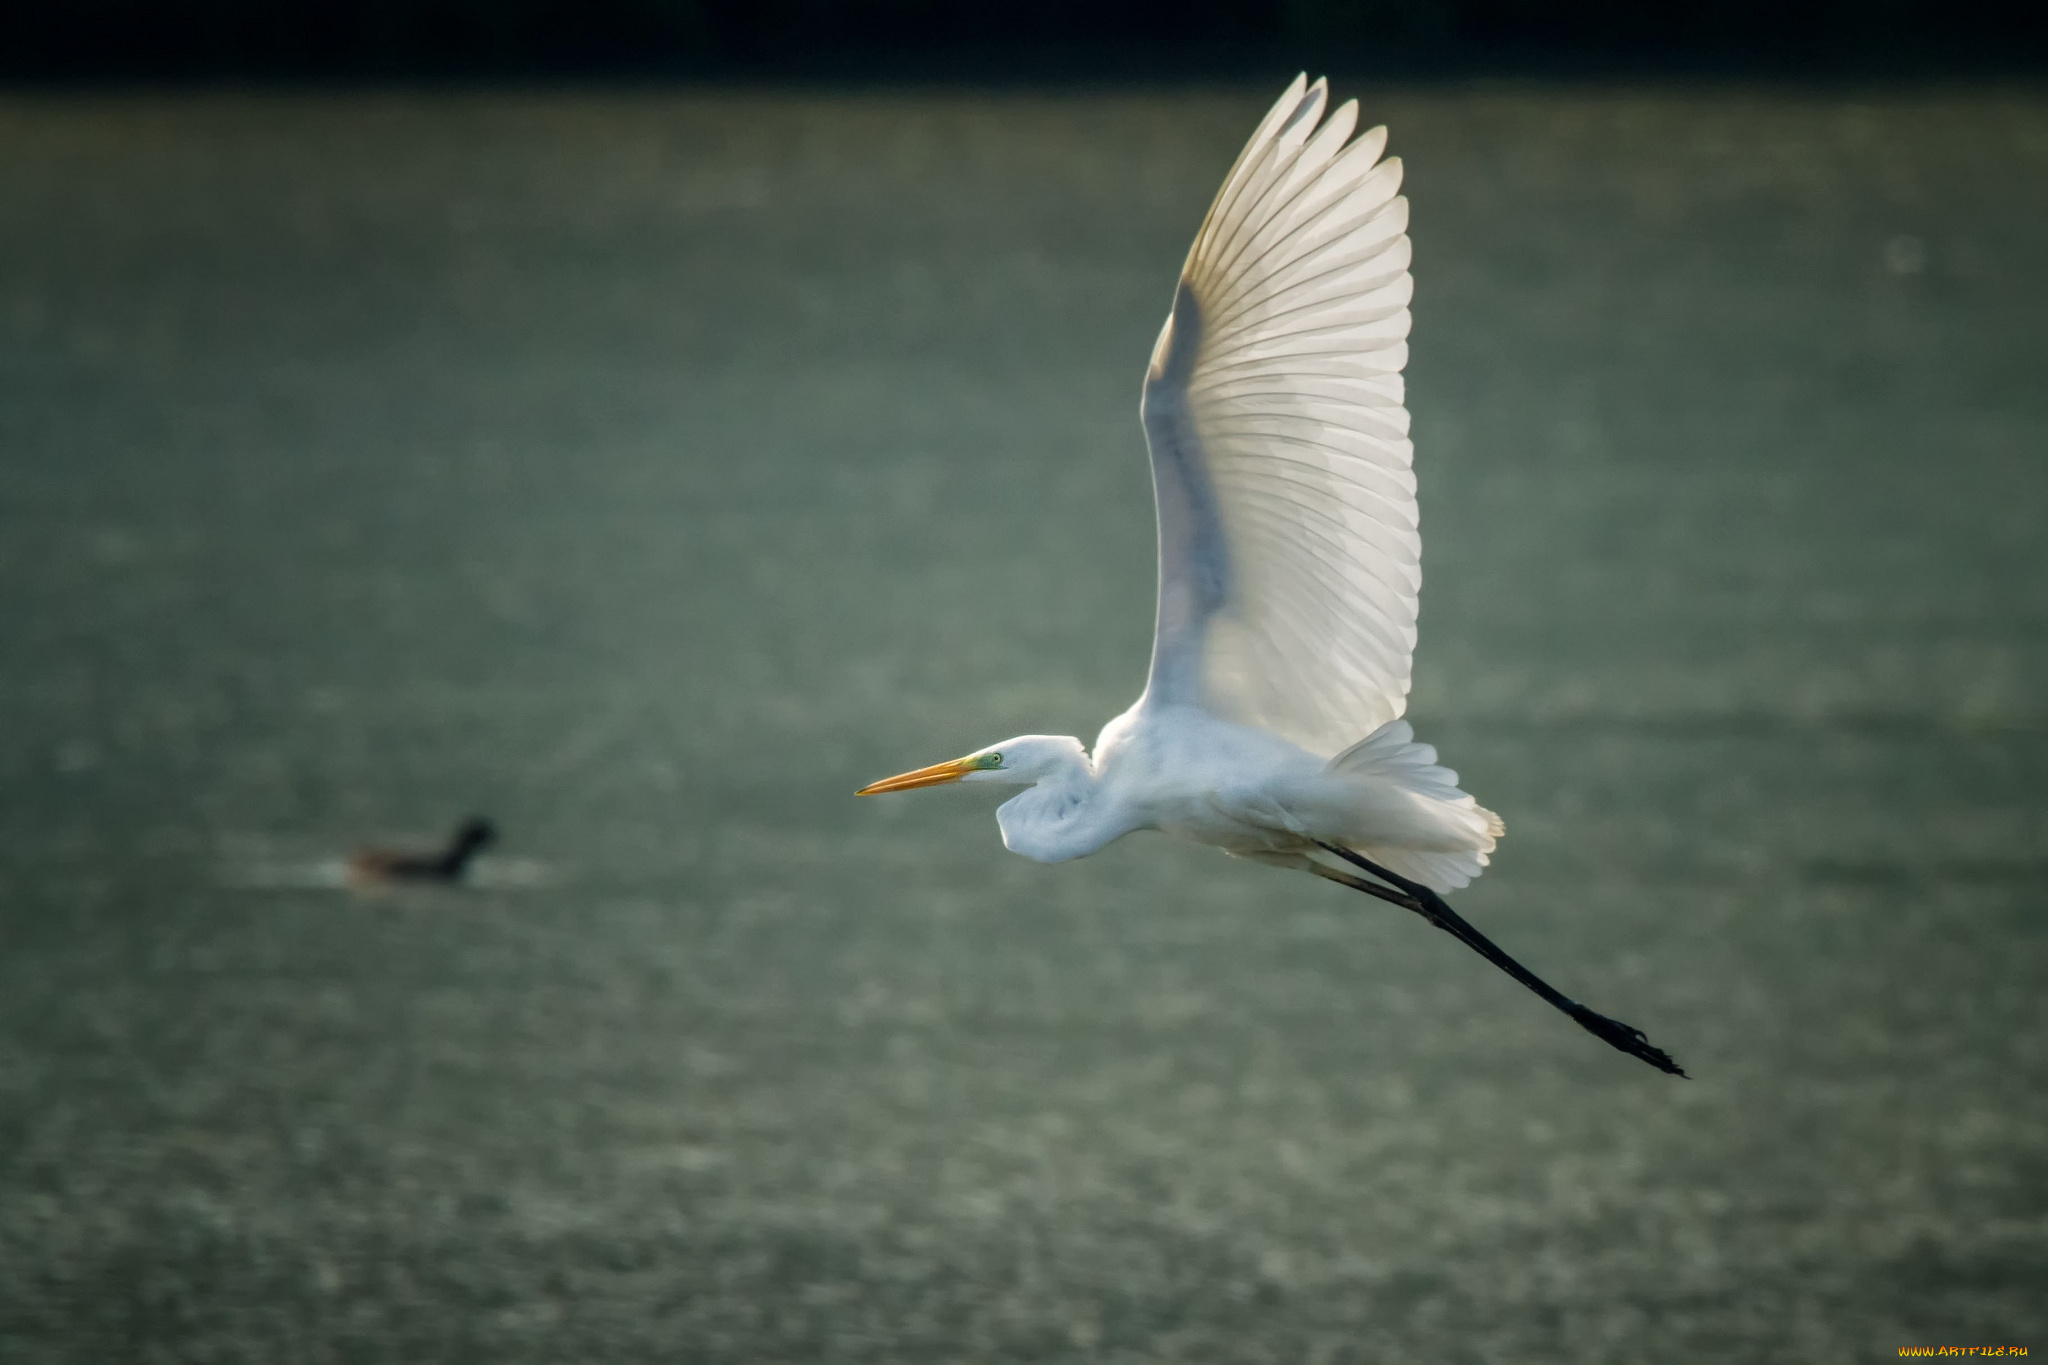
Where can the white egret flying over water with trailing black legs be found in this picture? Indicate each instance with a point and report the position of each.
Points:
(1289, 564)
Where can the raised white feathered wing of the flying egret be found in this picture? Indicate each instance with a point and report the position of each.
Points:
(1289, 558)
